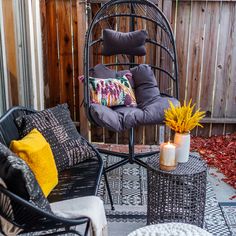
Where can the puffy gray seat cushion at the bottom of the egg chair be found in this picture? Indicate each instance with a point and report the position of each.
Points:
(122, 118)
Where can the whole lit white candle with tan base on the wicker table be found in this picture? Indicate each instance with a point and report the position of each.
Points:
(167, 156)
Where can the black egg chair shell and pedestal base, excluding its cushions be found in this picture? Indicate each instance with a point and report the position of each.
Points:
(162, 40)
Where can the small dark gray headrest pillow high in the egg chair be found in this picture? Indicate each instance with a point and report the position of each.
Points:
(131, 43)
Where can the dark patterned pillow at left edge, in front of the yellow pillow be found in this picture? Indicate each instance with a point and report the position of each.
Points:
(20, 180)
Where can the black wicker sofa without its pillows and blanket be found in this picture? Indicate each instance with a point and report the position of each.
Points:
(78, 181)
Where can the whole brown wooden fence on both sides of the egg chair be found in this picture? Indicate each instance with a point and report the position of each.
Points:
(206, 45)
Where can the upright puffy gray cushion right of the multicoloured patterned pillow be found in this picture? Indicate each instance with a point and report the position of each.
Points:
(145, 85)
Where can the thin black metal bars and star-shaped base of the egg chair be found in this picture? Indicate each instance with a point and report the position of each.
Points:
(152, 14)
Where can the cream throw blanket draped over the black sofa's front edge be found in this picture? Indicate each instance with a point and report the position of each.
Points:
(91, 207)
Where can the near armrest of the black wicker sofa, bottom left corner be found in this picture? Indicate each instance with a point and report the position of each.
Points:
(28, 217)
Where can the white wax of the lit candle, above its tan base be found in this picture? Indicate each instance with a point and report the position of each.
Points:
(167, 155)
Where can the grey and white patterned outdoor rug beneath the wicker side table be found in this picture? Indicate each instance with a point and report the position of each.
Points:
(129, 189)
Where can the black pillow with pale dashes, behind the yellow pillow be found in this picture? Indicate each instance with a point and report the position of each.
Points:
(68, 146)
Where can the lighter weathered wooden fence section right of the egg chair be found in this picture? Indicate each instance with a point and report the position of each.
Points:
(205, 38)
